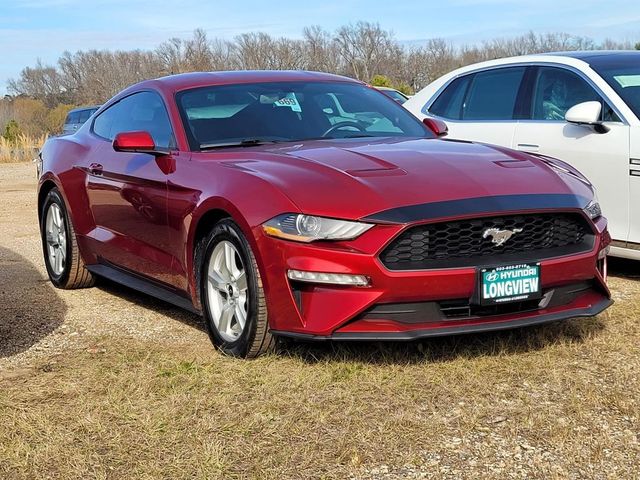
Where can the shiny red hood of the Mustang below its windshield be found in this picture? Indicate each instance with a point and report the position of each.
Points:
(356, 178)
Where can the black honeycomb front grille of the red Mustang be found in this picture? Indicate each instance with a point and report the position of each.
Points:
(461, 243)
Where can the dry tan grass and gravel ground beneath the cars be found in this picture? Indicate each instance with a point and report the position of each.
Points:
(114, 385)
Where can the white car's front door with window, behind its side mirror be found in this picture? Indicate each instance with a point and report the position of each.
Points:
(602, 157)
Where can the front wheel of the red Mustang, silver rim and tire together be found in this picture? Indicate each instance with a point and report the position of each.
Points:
(231, 291)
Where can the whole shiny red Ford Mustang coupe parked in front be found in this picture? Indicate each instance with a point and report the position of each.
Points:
(312, 206)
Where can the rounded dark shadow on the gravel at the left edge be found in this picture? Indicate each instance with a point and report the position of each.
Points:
(30, 308)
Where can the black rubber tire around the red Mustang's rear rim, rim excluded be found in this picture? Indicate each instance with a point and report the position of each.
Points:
(74, 273)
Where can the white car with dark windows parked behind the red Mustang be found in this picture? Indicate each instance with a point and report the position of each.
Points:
(580, 107)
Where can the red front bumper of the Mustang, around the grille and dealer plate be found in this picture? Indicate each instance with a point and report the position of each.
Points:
(415, 302)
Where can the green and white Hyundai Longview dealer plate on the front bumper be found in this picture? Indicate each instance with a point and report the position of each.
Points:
(513, 283)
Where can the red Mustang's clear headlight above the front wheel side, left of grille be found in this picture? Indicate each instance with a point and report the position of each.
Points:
(307, 228)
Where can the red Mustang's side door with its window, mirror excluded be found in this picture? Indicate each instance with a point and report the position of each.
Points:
(128, 191)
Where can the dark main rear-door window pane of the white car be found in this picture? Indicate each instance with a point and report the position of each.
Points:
(492, 94)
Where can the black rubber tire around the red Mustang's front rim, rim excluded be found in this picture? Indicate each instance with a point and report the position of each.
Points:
(255, 339)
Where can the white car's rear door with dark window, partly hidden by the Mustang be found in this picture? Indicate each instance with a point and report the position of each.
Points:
(481, 106)
